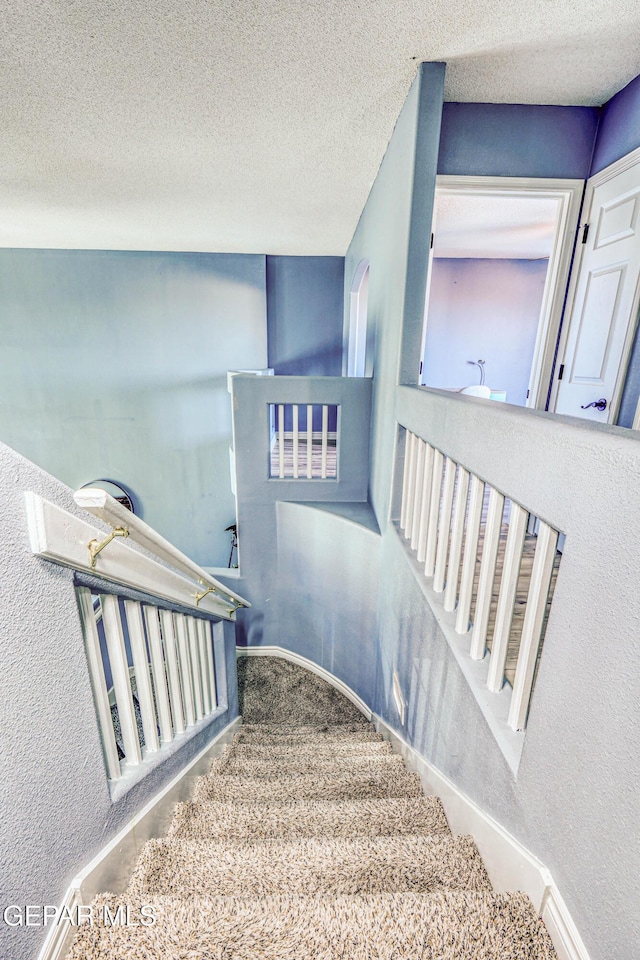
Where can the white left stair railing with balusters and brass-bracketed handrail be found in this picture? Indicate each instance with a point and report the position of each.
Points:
(156, 669)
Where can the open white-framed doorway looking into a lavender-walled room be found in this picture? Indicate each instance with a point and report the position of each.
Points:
(498, 271)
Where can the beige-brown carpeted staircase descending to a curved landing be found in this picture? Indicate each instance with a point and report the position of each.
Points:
(309, 840)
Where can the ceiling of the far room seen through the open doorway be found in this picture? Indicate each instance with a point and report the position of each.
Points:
(494, 227)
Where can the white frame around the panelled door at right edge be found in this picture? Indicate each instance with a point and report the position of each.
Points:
(597, 180)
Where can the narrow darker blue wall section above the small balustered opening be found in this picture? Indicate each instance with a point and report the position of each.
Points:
(305, 297)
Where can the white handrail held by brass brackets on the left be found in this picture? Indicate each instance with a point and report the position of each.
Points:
(99, 503)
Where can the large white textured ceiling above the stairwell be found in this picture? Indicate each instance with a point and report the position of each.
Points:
(256, 125)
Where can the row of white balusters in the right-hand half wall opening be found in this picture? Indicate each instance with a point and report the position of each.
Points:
(473, 543)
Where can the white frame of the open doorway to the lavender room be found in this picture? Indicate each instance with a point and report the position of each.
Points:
(569, 194)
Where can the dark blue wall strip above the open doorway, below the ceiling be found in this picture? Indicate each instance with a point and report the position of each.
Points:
(517, 140)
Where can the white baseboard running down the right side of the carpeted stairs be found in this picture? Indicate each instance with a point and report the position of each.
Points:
(509, 864)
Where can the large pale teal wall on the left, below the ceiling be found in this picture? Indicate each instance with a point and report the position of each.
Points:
(114, 364)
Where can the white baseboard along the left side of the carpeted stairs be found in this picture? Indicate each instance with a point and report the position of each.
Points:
(112, 867)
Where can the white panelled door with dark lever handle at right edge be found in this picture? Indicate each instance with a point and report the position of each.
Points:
(605, 302)
